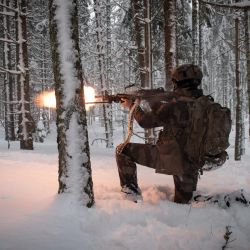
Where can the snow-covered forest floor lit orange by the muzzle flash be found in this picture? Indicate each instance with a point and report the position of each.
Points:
(34, 217)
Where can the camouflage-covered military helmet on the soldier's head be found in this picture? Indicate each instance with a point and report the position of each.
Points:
(187, 73)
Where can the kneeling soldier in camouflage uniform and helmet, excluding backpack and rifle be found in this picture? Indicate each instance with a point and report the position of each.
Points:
(167, 156)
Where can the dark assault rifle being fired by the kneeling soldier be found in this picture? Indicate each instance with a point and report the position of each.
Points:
(151, 95)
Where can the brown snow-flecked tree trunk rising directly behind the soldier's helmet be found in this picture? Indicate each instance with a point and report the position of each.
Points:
(170, 50)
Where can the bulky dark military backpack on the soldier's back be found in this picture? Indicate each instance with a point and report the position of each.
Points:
(207, 134)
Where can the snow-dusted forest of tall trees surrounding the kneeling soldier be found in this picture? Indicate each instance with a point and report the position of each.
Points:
(109, 45)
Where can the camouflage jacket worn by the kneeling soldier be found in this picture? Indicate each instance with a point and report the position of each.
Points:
(173, 117)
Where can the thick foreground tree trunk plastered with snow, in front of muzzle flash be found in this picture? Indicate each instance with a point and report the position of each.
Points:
(72, 135)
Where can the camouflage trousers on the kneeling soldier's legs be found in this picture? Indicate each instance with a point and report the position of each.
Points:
(145, 154)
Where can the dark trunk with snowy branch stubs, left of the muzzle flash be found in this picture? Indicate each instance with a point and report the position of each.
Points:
(26, 122)
